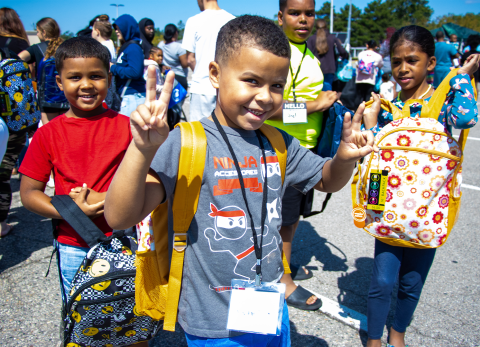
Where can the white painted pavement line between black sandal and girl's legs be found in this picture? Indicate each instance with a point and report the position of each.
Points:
(342, 313)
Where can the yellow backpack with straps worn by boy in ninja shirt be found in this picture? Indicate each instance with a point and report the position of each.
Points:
(160, 265)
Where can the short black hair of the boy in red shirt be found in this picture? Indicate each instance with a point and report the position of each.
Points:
(82, 47)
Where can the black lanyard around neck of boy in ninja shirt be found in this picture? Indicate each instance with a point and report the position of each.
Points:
(258, 248)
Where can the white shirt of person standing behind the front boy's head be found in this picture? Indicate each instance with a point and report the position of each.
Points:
(200, 37)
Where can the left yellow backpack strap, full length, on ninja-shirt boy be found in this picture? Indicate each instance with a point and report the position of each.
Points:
(187, 192)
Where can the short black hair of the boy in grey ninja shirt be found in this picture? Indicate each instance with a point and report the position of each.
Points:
(250, 31)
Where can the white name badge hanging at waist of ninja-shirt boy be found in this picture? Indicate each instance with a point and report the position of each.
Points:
(255, 309)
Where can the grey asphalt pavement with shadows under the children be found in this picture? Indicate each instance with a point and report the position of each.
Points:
(340, 256)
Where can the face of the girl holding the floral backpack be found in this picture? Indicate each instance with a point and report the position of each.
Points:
(410, 65)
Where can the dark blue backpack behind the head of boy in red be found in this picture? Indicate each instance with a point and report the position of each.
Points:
(49, 95)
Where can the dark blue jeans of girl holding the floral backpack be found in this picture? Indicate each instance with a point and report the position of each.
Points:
(411, 265)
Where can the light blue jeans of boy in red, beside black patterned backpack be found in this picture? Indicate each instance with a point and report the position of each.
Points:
(69, 259)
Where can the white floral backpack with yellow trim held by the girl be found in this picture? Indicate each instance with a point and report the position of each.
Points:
(408, 194)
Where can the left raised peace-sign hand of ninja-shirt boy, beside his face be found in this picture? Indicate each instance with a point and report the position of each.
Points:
(149, 121)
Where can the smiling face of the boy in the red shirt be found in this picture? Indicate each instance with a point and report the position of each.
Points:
(85, 82)
